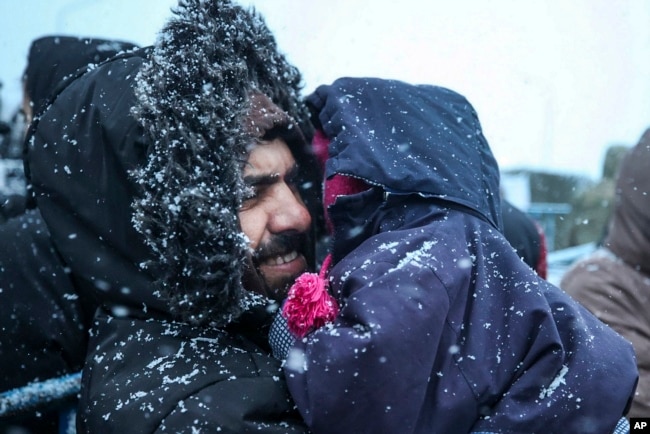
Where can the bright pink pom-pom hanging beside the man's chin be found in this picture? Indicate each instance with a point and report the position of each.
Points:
(309, 305)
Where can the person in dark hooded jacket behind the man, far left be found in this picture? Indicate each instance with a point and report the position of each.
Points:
(45, 320)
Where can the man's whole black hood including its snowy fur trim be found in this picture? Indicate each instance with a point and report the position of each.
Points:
(147, 151)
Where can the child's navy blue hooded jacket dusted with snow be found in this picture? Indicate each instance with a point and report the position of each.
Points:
(442, 328)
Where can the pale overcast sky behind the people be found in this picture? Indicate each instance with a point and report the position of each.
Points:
(554, 82)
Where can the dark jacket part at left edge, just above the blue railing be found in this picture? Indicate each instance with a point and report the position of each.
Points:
(43, 320)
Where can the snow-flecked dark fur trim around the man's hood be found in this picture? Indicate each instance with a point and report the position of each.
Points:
(192, 98)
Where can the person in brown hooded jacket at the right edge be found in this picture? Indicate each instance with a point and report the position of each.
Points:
(614, 282)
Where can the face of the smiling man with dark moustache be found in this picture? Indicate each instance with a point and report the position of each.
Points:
(275, 220)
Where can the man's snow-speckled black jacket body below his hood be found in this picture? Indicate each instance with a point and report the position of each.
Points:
(158, 376)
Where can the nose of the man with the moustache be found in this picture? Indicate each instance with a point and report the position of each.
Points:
(290, 212)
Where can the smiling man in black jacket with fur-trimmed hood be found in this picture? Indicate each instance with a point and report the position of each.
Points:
(172, 186)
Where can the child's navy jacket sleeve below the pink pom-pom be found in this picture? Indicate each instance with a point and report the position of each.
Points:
(369, 371)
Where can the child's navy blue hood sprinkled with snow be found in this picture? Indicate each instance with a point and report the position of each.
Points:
(409, 139)
